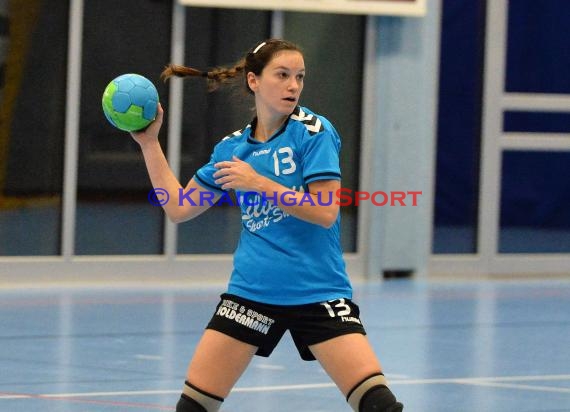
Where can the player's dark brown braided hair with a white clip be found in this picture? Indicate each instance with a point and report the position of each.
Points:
(254, 61)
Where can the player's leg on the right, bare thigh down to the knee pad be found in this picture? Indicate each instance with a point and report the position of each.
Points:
(351, 363)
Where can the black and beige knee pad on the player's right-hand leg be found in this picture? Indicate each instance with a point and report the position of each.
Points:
(372, 395)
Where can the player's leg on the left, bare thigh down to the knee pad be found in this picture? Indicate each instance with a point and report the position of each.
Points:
(216, 366)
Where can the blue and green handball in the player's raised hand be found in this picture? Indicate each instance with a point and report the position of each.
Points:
(130, 102)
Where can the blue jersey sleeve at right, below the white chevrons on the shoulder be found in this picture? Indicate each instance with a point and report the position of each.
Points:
(321, 153)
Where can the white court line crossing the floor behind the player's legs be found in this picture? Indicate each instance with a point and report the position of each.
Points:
(497, 381)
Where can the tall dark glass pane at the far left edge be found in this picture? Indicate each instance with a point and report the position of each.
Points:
(32, 118)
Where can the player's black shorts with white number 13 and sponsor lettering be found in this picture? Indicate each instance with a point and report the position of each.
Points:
(263, 325)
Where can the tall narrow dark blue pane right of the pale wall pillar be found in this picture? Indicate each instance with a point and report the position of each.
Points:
(459, 127)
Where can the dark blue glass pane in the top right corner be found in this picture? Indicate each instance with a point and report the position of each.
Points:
(538, 55)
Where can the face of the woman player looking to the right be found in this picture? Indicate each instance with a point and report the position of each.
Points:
(280, 84)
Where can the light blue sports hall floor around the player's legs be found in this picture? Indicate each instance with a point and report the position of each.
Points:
(445, 346)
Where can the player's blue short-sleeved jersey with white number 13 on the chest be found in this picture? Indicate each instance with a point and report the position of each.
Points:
(281, 259)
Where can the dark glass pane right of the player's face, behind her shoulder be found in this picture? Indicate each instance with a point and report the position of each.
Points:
(333, 84)
